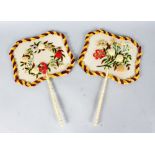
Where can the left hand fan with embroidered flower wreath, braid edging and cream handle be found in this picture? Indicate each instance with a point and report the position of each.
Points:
(40, 58)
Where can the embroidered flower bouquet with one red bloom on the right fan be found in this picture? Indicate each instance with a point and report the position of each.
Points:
(113, 55)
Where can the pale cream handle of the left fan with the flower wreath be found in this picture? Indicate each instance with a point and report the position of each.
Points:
(55, 102)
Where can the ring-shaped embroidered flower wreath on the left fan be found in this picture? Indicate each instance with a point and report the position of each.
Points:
(56, 58)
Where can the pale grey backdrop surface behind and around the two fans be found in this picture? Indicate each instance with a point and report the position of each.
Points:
(127, 108)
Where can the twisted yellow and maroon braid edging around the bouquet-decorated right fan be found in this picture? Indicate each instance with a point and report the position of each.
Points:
(102, 74)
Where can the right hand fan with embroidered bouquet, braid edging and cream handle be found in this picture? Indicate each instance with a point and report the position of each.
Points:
(110, 56)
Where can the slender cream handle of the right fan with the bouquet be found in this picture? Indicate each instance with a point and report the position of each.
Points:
(100, 100)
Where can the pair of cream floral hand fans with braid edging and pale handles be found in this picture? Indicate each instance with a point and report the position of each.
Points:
(48, 56)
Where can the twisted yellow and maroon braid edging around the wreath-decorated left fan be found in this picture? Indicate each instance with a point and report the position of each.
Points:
(30, 84)
